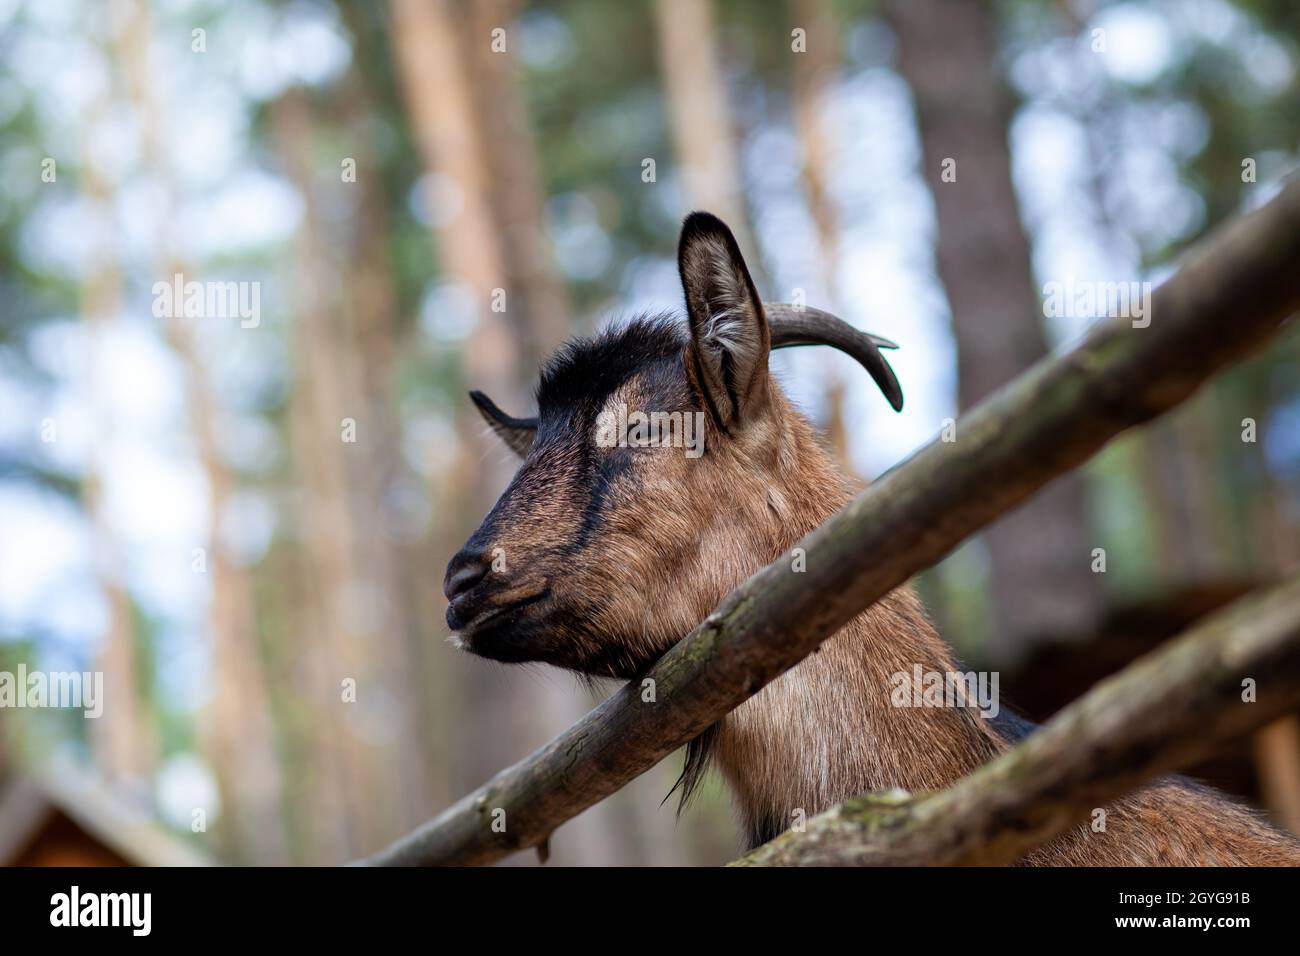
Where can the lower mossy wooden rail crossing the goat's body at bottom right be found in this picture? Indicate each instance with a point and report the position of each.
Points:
(1173, 707)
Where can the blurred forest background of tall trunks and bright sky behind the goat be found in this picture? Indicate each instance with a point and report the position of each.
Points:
(236, 524)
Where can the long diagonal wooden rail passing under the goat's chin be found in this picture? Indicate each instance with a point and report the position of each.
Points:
(1229, 299)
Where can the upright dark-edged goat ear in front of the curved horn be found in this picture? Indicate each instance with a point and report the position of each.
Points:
(730, 339)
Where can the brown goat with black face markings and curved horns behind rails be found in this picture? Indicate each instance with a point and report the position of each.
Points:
(600, 556)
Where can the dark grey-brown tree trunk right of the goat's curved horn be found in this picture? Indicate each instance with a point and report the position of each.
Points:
(1041, 556)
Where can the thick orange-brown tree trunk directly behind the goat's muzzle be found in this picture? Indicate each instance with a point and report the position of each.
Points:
(441, 51)
